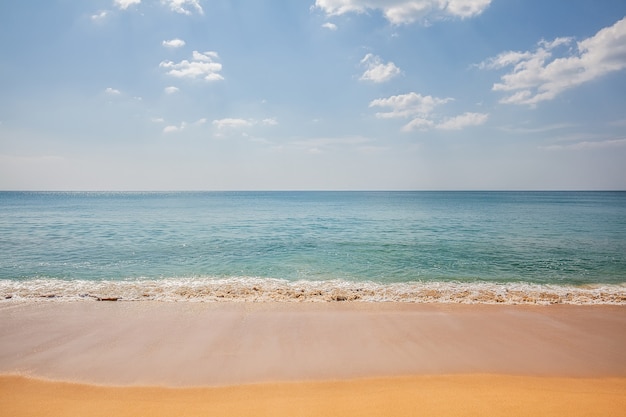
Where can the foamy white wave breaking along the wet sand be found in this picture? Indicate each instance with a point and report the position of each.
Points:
(247, 289)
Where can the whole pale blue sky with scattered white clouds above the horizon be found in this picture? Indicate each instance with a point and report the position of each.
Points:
(313, 95)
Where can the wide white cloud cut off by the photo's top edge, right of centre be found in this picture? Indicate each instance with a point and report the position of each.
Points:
(406, 11)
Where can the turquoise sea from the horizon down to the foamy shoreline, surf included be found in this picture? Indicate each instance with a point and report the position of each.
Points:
(335, 246)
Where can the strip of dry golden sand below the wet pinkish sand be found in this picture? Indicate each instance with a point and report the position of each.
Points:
(462, 395)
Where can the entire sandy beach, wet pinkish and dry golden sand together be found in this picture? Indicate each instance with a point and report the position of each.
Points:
(151, 358)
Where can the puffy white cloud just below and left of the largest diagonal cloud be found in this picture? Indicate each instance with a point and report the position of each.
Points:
(420, 109)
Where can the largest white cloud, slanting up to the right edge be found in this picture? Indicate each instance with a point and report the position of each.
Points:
(540, 75)
